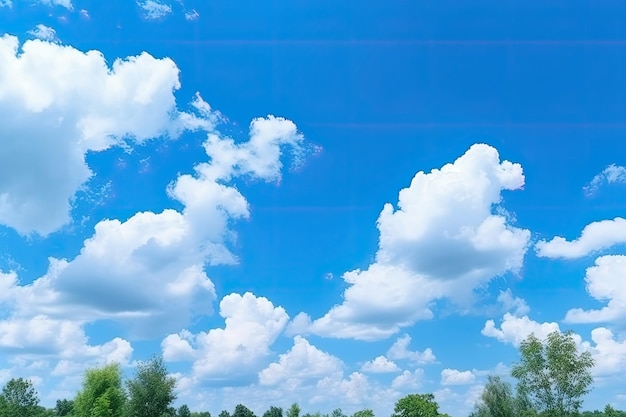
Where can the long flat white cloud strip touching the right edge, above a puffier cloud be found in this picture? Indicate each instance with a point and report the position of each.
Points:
(594, 237)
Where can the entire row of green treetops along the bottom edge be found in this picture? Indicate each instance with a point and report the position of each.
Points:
(552, 379)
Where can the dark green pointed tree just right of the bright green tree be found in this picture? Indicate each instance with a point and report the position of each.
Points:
(151, 391)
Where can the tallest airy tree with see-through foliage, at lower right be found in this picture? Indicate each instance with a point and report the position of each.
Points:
(552, 375)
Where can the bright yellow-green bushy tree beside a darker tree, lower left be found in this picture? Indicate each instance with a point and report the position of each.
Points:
(102, 394)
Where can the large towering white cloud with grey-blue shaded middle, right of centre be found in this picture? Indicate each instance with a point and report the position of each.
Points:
(443, 240)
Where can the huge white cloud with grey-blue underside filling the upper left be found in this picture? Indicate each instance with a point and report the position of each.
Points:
(58, 103)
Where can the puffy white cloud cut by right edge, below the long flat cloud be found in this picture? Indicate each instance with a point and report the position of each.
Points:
(605, 281)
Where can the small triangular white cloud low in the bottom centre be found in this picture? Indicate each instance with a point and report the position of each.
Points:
(302, 362)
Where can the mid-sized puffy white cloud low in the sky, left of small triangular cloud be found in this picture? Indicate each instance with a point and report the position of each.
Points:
(252, 326)
